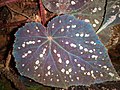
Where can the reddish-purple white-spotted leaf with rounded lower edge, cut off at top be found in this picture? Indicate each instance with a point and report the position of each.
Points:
(64, 6)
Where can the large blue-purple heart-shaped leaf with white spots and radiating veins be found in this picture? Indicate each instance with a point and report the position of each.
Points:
(66, 53)
